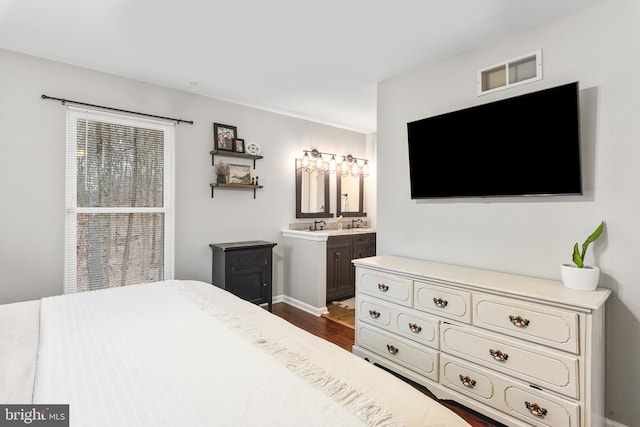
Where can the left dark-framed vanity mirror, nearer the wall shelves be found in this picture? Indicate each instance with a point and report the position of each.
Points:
(312, 193)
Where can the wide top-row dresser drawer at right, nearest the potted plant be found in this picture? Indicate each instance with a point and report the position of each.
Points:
(549, 326)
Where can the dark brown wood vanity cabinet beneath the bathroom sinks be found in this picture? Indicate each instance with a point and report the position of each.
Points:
(340, 271)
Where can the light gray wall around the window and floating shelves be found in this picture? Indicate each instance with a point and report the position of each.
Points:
(32, 171)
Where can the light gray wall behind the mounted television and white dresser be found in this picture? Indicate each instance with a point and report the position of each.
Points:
(533, 236)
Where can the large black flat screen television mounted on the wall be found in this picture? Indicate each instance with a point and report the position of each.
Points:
(527, 145)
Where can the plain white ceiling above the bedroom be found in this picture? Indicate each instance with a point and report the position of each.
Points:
(315, 60)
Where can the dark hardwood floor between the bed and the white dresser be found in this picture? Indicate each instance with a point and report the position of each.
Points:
(343, 336)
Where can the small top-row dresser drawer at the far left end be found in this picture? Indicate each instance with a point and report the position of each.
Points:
(385, 286)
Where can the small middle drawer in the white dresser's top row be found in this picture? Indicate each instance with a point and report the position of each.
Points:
(442, 301)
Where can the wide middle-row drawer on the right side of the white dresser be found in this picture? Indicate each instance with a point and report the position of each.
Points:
(536, 365)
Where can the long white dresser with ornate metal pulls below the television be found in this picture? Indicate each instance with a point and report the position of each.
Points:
(521, 350)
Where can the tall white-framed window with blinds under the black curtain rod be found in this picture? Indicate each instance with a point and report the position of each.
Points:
(119, 200)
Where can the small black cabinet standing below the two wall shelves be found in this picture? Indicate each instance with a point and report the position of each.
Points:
(244, 269)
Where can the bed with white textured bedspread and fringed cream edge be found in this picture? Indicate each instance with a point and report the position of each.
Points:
(187, 353)
